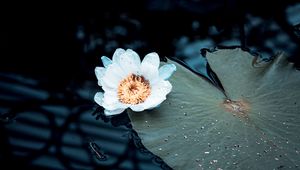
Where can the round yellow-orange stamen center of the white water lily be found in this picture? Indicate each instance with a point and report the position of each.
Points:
(133, 89)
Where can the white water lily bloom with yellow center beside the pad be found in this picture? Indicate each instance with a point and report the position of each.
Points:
(129, 83)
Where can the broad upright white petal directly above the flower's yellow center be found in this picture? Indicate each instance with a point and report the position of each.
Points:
(130, 62)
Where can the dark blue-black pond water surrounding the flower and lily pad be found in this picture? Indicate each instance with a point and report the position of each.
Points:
(49, 52)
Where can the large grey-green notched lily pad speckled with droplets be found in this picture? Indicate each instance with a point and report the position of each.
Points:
(255, 124)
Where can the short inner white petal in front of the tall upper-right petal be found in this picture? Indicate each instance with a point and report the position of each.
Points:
(150, 73)
